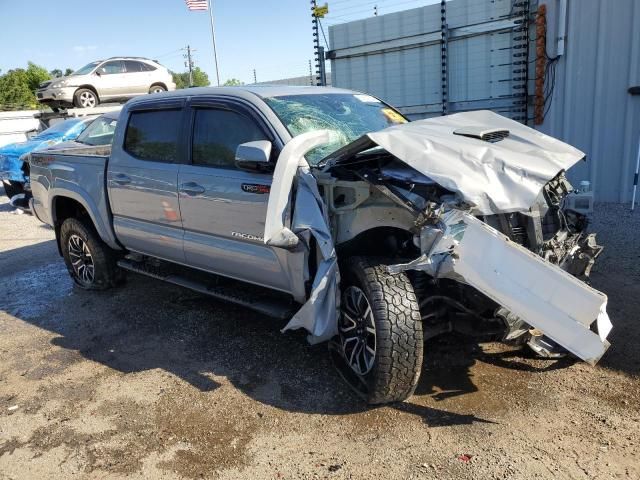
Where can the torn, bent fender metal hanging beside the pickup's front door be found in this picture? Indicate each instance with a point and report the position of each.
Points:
(318, 315)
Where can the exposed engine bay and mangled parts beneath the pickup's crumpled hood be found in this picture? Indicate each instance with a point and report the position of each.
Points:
(548, 229)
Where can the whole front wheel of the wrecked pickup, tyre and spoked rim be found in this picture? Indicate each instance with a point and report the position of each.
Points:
(380, 331)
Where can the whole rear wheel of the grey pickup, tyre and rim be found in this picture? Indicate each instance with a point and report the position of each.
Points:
(91, 263)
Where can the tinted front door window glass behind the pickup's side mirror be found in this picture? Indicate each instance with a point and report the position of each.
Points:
(217, 134)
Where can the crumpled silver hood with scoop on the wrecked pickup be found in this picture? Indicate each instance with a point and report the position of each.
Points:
(505, 176)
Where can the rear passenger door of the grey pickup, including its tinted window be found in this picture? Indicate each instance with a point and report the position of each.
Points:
(142, 179)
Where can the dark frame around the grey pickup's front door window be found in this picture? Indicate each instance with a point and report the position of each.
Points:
(236, 106)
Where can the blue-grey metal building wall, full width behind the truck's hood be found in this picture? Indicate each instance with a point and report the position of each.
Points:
(473, 54)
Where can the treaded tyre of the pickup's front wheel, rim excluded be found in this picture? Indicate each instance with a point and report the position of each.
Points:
(399, 338)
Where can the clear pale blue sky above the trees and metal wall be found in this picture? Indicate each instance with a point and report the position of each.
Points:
(271, 36)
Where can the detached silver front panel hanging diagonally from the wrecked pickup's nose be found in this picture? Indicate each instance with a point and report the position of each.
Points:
(542, 294)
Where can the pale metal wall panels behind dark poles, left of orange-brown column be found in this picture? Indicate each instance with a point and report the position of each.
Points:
(397, 57)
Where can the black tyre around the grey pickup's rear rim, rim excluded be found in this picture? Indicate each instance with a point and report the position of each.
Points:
(107, 274)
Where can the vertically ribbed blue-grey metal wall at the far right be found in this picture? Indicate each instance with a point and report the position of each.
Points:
(591, 107)
